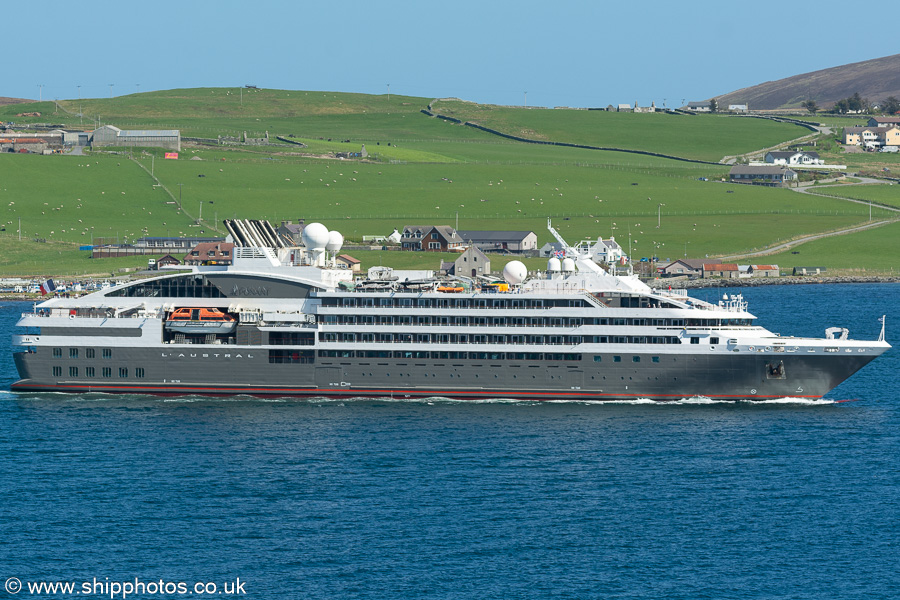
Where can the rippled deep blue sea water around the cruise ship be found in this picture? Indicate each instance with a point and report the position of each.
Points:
(438, 499)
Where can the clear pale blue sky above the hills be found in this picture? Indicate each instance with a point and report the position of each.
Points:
(578, 53)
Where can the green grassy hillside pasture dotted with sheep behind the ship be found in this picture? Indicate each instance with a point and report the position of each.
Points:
(421, 171)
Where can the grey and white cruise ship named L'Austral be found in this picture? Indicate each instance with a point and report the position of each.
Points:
(281, 320)
